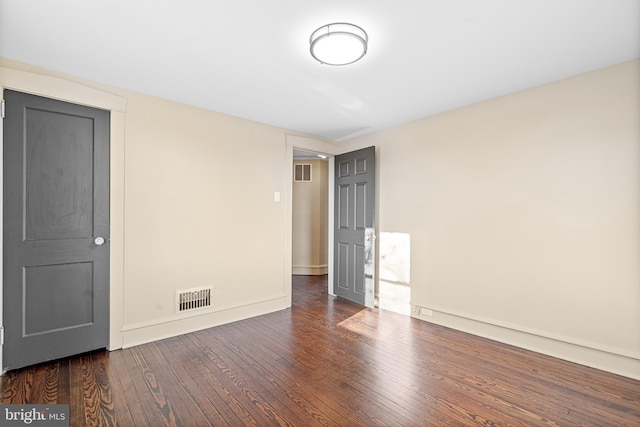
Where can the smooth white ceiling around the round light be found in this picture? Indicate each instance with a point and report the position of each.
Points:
(250, 58)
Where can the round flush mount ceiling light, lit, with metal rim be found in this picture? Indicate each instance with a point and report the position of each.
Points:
(338, 43)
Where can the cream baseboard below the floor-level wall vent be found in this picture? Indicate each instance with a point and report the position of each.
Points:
(142, 334)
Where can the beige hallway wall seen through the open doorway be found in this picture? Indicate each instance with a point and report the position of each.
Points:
(309, 216)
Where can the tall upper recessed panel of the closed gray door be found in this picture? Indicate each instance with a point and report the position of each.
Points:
(59, 200)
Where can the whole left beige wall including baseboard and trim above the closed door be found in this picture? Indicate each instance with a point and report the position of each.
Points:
(192, 205)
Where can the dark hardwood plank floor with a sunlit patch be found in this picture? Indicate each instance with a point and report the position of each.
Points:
(327, 362)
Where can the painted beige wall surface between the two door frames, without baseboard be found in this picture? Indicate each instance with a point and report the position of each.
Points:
(200, 208)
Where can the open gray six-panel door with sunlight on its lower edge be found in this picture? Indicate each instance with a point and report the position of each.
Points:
(354, 226)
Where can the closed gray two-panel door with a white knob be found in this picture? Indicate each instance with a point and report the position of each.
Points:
(56, 229)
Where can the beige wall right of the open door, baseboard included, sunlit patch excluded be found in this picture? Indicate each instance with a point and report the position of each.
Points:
(524, 215)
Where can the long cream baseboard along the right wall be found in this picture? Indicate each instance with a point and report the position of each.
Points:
(604, 360)
